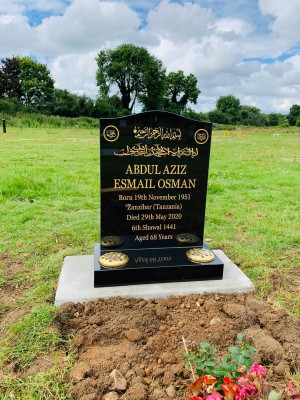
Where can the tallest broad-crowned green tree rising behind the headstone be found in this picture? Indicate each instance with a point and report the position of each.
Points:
(137, 74)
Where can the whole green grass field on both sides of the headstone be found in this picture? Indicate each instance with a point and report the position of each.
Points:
(49, 207)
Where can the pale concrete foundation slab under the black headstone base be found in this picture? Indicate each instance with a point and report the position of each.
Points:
(76, 283)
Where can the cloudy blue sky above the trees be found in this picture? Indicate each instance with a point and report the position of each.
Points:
(249, 48)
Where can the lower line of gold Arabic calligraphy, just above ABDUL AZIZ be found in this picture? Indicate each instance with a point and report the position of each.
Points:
(157, 150)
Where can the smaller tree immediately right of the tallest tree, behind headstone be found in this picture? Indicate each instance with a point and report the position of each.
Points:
(180, 90)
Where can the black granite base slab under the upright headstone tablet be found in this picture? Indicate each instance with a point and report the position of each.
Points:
(168, 264)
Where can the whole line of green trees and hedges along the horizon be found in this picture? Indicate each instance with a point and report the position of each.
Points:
(140, 80)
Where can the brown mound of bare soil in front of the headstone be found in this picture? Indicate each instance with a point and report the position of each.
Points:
(132, 348)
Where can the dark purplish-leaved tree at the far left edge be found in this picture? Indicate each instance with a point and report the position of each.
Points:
(10, 85)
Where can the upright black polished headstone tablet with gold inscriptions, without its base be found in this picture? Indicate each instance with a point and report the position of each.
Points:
(167, 168)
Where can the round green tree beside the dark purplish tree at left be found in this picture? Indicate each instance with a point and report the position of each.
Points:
(36, 81)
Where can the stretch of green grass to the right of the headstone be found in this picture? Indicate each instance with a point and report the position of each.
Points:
(253, 208)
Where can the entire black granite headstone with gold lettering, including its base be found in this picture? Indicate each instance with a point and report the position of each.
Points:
(154, 170)
